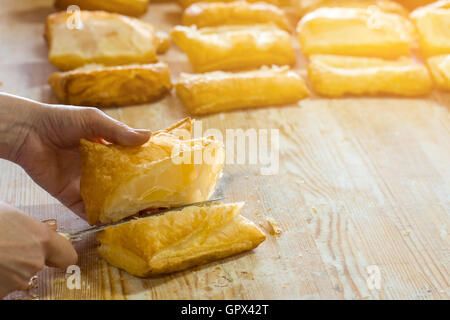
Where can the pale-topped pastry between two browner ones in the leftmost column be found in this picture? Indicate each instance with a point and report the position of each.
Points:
(101, 38)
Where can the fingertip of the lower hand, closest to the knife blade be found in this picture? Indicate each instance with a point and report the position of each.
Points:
(60, 252)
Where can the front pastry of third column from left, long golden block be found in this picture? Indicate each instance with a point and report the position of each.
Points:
(335, 76)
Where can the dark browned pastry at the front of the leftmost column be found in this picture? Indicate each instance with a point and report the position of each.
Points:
(99, 86)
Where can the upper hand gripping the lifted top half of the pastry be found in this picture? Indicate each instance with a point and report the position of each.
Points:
(44, 139)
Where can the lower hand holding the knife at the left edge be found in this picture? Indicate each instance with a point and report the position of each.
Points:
(26, 246)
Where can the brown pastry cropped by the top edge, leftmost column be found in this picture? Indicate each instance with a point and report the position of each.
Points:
(127, 7)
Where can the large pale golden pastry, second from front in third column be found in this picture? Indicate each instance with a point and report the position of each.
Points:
(355, 32)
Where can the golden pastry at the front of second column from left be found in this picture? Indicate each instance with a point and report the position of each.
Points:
(222, 91)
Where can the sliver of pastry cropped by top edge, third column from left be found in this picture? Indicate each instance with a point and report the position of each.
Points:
(384, 5)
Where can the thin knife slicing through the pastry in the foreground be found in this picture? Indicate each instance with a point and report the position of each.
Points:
(81, 233)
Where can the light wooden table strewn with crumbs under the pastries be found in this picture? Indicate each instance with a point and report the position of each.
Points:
(362, 182)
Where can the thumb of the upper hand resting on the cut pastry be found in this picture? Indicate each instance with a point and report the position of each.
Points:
(101, 125)
